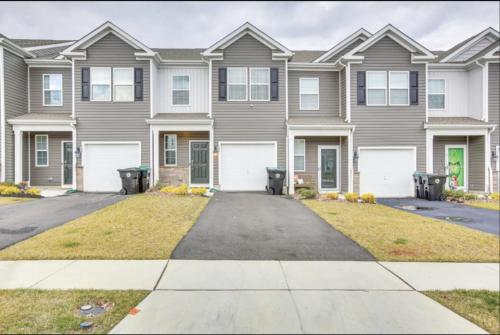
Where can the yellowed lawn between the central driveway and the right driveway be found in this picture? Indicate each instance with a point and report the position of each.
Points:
(394, 235)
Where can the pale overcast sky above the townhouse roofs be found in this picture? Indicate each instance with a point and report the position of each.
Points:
(297, 25)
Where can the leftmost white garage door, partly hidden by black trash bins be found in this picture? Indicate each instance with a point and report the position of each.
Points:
(100, 162)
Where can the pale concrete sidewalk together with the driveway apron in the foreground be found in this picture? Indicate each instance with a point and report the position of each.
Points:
(190, 296)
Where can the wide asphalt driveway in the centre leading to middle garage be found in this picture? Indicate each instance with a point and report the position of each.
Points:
(256, 226)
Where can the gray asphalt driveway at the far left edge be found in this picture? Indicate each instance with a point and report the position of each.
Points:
(23, 220)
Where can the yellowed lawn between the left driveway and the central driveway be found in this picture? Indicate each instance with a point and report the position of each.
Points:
(146, 226)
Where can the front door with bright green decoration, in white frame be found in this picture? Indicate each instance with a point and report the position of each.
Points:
(456, 166)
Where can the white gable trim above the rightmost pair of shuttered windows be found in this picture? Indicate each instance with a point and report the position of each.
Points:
(419, 52)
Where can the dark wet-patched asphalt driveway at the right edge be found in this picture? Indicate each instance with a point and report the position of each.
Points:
(476, 218)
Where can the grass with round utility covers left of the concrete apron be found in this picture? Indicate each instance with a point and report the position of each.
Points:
(49, 312)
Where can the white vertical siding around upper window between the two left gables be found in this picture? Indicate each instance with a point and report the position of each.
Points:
(198, 95)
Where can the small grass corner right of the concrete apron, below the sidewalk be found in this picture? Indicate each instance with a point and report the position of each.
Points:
(479, 307)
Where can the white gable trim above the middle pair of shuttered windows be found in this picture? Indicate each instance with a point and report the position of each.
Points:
(250, 29)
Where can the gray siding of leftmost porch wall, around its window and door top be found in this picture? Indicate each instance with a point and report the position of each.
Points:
(50, 175)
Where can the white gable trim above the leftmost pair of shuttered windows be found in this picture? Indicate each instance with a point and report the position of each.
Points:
(102, 31)
